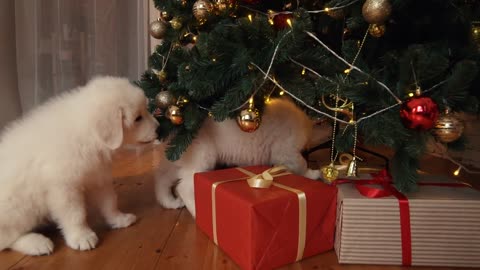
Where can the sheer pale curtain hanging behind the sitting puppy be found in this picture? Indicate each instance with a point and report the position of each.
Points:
(61, 44)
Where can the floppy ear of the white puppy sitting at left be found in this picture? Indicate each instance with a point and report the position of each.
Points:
(110, 128)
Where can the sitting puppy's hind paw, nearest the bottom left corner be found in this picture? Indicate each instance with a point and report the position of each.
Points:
(33, 244)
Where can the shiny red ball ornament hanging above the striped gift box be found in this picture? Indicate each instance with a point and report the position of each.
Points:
(419, 113)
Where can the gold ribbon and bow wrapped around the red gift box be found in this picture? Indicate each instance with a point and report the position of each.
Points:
(266, 180)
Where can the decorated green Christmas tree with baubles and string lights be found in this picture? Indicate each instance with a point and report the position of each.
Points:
(384, 72)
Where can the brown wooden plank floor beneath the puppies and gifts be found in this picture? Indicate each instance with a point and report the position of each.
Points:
(161, 239)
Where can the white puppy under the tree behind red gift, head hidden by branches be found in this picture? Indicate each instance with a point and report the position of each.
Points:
(284, 132)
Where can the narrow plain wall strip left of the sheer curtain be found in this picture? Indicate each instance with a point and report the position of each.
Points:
(9, 97)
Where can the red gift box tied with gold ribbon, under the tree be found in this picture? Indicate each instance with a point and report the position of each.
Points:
(264, 228)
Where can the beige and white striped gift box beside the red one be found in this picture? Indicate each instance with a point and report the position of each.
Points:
(444, 221)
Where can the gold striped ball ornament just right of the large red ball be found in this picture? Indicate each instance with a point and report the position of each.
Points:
(448, 128)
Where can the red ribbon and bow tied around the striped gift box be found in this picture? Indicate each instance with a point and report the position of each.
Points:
(384, 179)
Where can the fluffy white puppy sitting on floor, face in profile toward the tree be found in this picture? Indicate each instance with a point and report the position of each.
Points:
(58, 157)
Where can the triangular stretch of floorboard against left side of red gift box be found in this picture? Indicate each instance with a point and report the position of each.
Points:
(190, 248)
